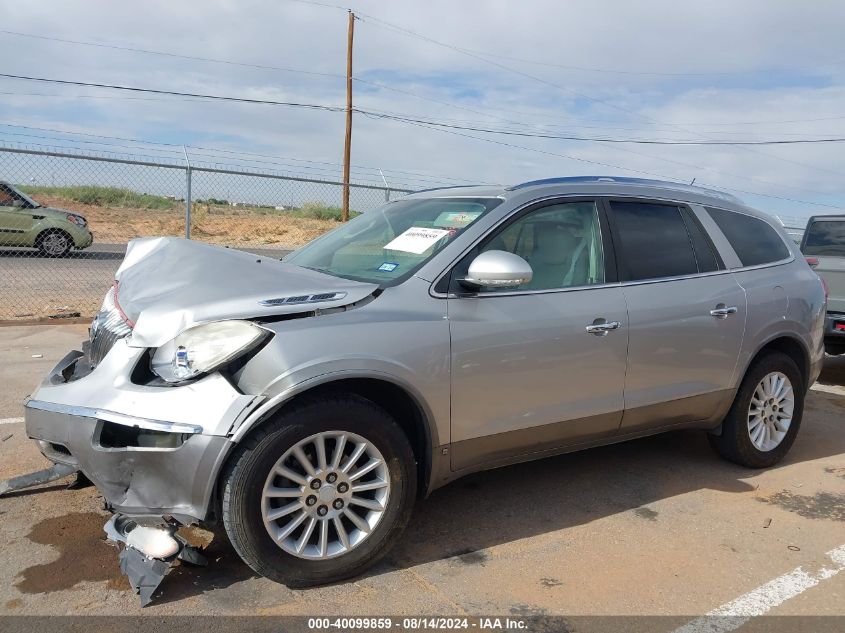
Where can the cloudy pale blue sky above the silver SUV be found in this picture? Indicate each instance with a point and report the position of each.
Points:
(697, 70)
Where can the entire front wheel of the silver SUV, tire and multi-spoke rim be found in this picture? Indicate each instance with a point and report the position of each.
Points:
(320, 493)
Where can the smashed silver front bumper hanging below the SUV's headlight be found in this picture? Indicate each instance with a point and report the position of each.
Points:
(152, 451)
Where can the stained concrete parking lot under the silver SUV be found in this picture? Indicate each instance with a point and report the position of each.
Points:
(655, 526)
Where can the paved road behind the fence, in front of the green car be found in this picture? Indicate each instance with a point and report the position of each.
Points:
(34, 286)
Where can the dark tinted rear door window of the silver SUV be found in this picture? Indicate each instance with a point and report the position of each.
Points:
(652, 241)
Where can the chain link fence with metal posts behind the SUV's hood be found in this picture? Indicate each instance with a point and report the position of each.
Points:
(66, 217)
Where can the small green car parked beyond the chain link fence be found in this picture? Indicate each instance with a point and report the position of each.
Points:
(24, 222)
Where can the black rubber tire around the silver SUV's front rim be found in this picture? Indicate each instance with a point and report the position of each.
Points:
(246, 509)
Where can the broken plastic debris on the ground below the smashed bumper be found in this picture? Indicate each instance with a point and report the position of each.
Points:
(144, 570)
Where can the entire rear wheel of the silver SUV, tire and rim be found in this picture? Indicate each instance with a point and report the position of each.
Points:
(766, 414)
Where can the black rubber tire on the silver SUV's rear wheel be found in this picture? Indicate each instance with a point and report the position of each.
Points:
(735, 443)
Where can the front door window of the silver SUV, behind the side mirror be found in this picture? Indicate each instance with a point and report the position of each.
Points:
(561, 242)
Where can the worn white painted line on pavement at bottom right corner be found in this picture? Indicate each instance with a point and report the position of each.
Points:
(760, 601)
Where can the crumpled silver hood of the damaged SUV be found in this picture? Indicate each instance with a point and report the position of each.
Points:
(168, 284)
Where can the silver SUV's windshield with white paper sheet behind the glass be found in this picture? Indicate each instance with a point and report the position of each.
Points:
(386, 245)
